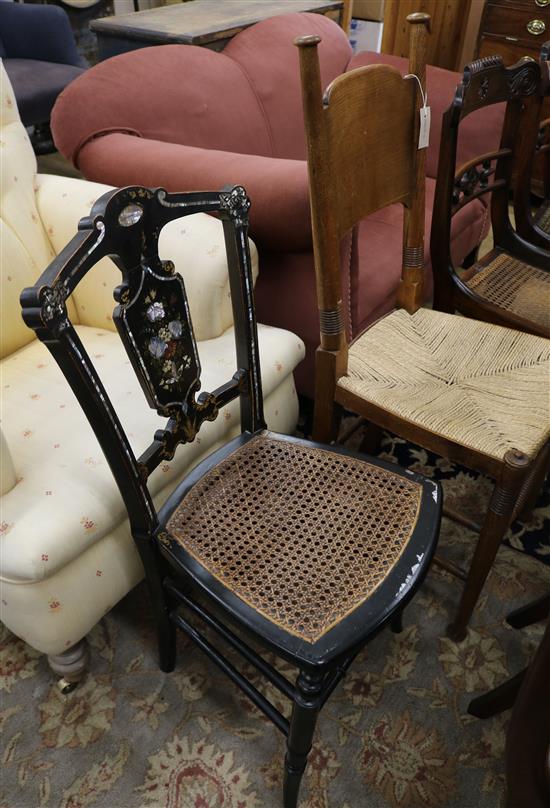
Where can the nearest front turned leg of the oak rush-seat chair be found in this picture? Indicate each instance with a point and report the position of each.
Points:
(496, 522)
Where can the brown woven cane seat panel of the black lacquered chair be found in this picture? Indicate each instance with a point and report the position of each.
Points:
(303, 535)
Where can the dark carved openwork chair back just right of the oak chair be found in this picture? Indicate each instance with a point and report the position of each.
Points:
(485, 82)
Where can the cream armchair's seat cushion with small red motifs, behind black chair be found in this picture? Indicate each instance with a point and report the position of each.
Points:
(65, 500)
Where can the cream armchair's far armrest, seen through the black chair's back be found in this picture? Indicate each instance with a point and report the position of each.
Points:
(195, 243)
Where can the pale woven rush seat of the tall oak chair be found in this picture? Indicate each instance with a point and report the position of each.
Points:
(480, 385)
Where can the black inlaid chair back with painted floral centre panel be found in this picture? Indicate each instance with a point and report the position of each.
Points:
(153, 319)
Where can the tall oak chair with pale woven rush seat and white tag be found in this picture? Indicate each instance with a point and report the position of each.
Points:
(473, 392)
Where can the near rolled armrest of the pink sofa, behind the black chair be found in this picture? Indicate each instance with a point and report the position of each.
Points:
(278, 188)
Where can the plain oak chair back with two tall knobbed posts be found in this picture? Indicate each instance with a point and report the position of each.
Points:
(362, 156)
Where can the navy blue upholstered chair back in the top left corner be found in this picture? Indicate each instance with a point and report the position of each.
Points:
(38, 32)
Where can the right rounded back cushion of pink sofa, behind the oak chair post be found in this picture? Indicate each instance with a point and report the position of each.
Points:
(269, 58)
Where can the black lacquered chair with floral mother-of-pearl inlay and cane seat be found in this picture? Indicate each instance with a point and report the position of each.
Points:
(307, 549)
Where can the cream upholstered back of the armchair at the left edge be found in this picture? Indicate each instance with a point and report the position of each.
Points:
(25, 249)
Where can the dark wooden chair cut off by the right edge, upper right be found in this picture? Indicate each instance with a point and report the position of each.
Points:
(535, 228)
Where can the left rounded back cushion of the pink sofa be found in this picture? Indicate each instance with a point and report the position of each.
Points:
(173, 93)
